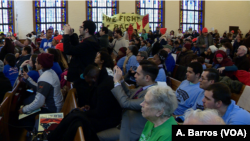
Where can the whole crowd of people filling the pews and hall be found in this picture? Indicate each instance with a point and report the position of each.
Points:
(101, 65)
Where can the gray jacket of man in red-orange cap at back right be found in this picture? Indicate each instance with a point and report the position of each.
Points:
(201, 41)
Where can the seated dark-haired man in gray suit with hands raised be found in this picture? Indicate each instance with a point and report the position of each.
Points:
(132, 122)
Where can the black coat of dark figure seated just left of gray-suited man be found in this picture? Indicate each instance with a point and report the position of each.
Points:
(105, 111)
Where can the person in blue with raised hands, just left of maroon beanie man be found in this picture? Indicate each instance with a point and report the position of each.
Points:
(31, 67)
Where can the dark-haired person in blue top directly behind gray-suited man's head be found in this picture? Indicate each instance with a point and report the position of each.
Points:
(159, 60)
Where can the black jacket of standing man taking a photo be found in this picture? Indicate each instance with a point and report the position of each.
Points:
(82, 53)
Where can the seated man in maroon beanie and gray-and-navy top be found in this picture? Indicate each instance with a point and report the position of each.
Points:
(48, 95)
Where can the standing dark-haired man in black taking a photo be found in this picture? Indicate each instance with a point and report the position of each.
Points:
(82, 53)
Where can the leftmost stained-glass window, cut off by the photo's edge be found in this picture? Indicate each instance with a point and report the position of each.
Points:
(6, 16)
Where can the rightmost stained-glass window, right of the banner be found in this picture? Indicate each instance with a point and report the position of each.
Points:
(191, 15)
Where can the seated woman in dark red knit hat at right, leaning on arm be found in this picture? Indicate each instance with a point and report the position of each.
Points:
(224, 65)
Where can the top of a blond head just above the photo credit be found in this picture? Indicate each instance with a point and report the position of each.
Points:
(206, 117)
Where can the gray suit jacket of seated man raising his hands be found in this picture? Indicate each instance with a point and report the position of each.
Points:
(132, 121)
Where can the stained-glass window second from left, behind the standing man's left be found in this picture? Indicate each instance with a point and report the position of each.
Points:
(50, 13)
